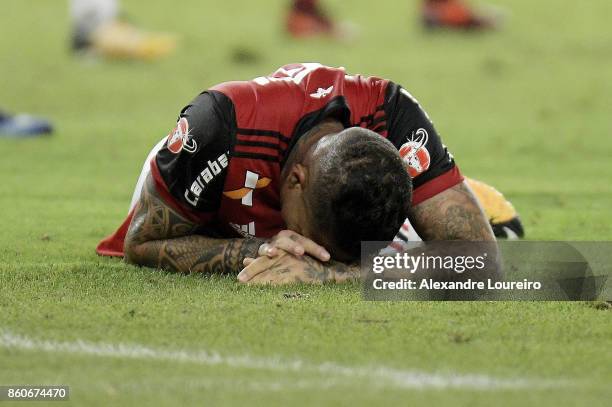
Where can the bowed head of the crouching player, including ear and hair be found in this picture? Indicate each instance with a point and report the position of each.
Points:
(341, 187)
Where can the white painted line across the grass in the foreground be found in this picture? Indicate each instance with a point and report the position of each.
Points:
(378, 375)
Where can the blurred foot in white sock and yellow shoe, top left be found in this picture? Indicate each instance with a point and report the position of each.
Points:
(98, 28)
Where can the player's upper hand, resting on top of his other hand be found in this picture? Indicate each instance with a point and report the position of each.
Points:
(291, 242)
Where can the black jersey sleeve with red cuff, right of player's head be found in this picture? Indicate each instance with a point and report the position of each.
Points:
(430, 165)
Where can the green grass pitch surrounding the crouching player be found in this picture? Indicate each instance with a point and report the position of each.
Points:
(526, 109)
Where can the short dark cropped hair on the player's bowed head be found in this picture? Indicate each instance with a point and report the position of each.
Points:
(360, 191)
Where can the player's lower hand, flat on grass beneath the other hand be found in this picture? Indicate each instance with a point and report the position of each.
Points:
(286, 268)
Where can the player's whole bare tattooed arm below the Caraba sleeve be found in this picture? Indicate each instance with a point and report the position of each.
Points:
(161, 237)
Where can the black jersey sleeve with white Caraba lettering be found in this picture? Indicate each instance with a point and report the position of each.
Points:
(191, 167)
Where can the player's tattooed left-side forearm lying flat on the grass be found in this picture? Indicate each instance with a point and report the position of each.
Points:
(194, 254)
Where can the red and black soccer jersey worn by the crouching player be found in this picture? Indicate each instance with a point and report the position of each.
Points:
(221, 164)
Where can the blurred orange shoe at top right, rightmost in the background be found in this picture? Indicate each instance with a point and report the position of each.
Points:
(455, 14)
